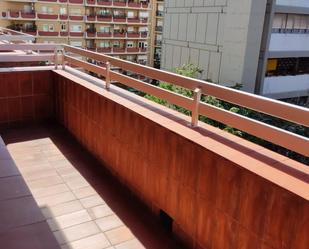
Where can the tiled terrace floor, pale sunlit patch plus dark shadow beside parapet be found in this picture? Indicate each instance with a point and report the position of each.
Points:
(85, 207)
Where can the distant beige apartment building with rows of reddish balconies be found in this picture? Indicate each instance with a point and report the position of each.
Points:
(116, 27)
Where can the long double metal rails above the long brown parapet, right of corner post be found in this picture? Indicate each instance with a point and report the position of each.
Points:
(271, 107)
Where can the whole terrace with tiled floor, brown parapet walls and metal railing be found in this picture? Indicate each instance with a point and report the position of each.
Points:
(95, 166)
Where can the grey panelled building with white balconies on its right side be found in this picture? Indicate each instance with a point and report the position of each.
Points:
(263, 45)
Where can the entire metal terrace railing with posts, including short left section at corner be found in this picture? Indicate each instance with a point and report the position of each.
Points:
(264, 105)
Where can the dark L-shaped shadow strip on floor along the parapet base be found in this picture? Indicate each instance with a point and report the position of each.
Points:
(144, 225)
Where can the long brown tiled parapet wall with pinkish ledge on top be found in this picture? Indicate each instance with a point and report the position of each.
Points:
(214, 201)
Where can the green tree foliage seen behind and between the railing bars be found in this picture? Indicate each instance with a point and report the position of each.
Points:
(193, 71)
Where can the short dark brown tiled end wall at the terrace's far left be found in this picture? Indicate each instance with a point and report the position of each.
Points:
(25, 97)
